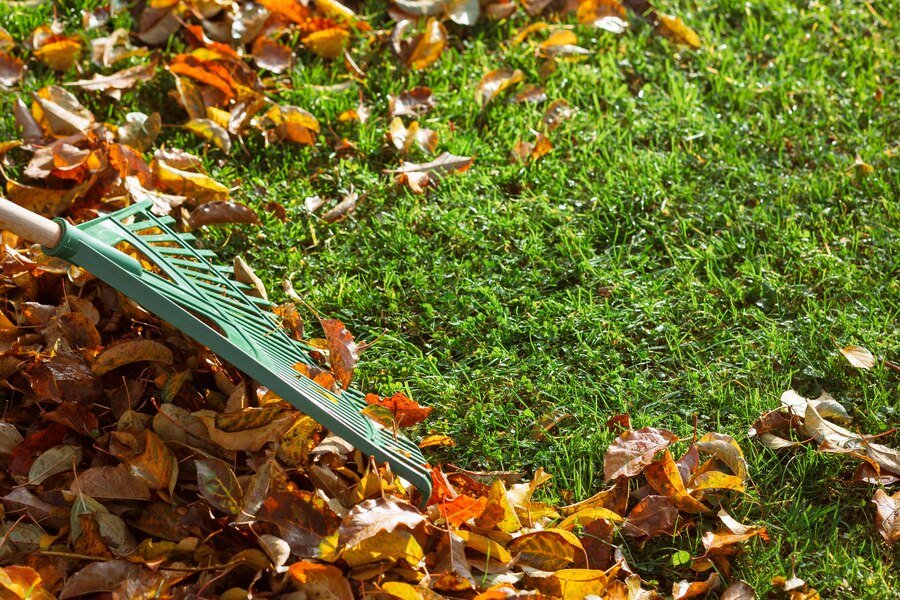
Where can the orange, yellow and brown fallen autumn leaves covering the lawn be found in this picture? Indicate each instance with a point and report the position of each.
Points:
(143, 465)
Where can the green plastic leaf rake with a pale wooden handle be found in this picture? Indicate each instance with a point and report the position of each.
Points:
(187, 290)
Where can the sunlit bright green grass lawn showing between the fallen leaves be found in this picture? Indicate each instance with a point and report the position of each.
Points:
(697, 242)
